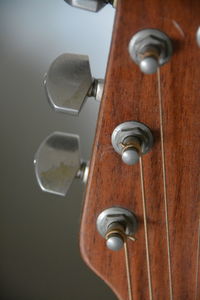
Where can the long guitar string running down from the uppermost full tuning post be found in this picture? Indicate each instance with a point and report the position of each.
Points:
(164, 181)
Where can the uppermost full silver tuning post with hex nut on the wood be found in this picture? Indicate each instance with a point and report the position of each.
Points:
(150, 49)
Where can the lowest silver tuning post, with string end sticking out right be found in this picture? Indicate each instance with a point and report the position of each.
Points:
(116, 224)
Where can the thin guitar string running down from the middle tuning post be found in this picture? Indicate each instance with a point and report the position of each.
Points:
(146, 229)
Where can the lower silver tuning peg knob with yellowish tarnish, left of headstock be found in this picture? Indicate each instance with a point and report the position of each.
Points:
(57, 162)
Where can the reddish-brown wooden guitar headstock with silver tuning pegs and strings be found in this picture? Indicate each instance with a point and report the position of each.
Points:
(140, 229)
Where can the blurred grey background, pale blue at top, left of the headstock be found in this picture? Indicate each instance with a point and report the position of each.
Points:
(39, 252)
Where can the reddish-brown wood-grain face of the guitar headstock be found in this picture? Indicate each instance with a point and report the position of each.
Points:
(130, 95)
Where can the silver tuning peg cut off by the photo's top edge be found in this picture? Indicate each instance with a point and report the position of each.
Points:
(91, 5)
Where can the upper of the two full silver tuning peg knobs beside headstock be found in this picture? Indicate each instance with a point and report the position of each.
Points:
(69, 82)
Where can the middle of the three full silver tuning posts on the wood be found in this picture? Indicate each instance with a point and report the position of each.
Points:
(132, 140)
